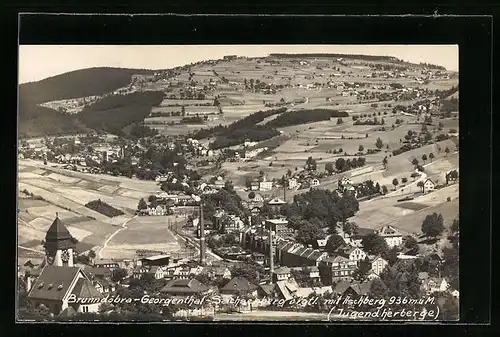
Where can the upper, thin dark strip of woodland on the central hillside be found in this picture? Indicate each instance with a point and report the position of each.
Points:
(298, 117)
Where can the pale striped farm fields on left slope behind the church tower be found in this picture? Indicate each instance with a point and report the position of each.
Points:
(66, 193)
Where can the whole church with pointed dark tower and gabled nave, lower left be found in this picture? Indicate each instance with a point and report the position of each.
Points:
(61, 286)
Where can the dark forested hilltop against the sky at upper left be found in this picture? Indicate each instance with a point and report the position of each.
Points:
(78, 83)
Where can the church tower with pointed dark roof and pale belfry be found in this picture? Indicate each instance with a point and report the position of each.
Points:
(59, 245)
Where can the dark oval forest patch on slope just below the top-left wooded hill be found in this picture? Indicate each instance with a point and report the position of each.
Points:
(113, 113)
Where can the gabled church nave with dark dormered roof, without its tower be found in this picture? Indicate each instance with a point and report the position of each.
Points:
(58, 287)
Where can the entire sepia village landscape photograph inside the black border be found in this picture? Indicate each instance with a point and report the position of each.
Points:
(180, 183)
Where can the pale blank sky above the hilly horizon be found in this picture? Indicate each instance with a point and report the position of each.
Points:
(37, 62)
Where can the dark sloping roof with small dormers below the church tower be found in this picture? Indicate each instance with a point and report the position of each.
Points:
(58, 278)
